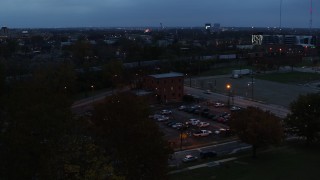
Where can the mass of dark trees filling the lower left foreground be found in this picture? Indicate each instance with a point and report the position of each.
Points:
(41, 139)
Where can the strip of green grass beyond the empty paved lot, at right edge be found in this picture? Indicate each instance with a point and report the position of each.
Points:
(290, 77)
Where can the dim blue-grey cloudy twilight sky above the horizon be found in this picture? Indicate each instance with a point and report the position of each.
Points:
(124, 13)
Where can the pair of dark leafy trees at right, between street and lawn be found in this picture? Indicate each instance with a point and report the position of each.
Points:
(262, 128)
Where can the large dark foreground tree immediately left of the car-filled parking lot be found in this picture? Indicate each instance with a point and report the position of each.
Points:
(134, 142)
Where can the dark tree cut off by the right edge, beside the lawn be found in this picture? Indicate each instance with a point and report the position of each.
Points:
(304, 116)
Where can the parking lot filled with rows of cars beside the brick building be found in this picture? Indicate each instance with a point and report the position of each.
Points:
(184, 121)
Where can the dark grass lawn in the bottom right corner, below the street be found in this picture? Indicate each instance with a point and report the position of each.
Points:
(288, 162)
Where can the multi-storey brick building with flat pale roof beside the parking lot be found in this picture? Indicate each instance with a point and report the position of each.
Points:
(166, 87)
